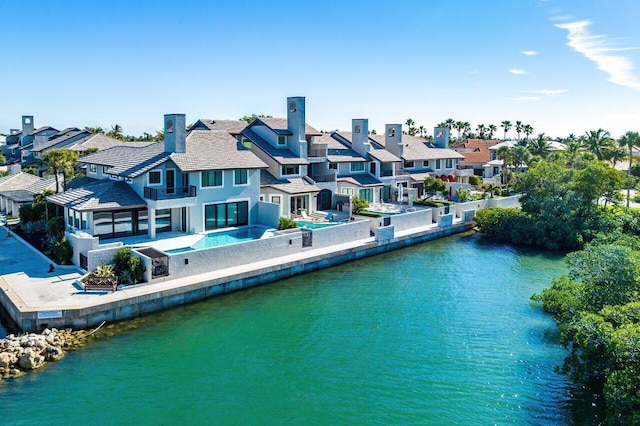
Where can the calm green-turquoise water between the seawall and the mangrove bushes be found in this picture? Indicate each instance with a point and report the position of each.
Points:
(442, 333)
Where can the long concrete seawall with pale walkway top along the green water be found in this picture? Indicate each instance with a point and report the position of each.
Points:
(149, 298)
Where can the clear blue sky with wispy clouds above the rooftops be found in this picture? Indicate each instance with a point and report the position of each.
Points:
(563, 66)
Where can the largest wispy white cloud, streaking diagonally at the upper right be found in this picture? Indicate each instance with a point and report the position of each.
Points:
(598, 49)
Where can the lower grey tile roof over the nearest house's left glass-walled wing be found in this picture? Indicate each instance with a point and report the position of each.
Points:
(104, 195)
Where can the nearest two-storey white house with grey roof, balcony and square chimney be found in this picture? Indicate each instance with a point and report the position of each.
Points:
(194, 183)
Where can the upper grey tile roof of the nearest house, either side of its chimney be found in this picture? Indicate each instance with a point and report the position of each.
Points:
(205, 150)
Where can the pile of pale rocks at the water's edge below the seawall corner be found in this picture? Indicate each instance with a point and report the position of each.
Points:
(31, 351)
